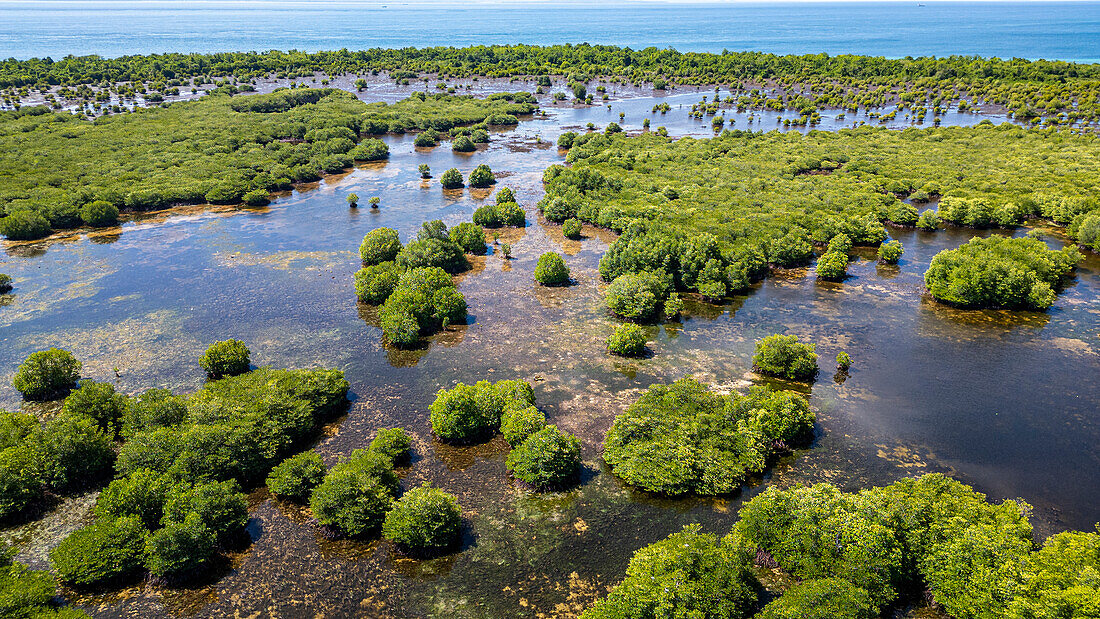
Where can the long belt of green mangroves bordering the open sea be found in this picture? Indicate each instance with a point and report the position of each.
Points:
(1028, 89)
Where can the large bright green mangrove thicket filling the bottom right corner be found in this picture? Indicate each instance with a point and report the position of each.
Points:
(854, 555)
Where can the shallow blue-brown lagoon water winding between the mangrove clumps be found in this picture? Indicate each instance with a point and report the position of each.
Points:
(1004, 401)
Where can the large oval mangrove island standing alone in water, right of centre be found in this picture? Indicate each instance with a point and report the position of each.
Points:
(681, 438)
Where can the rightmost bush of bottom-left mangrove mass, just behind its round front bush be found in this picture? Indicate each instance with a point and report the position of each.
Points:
(221, 506)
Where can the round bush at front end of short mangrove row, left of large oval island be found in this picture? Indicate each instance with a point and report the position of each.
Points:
(547, 460)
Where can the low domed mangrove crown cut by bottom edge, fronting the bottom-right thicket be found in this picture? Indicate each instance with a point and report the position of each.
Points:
(822, 599)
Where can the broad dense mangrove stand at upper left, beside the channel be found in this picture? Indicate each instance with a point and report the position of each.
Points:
(61, 172)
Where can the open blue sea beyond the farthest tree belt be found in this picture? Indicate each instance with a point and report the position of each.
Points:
(1069, 31)
